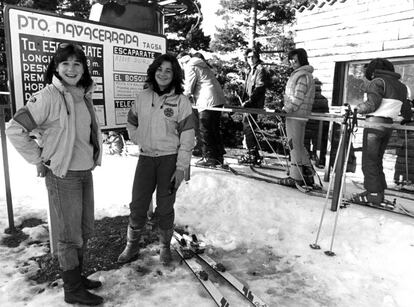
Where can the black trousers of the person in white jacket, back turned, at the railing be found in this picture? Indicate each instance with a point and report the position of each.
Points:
(212, 142)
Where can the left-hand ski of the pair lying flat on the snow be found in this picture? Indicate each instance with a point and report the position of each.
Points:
(187, 256)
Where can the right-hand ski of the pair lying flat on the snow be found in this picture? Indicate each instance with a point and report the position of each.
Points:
(197, 247)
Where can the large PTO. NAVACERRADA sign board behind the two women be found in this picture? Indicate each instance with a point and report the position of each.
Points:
(118, 58)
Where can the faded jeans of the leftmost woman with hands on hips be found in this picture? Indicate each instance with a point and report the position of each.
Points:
(72, 200)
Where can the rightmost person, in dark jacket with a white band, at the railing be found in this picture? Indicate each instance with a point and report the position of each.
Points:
(386, 101)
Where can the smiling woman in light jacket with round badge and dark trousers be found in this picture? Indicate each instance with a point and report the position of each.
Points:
(161, 122)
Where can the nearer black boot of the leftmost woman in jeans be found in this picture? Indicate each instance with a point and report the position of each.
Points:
(75, 291)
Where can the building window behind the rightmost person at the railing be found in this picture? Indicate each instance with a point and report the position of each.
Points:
(356, 83)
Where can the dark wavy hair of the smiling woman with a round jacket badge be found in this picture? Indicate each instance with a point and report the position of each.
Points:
(177, 81)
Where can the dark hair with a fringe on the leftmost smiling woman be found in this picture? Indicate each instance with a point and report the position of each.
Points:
(64, 52)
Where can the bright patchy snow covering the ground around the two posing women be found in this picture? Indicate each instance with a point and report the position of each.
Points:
(260, 231)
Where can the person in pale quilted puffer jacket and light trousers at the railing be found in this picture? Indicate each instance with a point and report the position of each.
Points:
(298, 101)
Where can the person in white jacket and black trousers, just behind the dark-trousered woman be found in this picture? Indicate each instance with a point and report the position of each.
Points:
(201, 83)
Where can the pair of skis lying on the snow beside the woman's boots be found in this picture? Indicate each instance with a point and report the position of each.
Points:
(191, 250)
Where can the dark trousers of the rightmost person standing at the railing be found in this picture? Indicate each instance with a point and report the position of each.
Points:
(374, 143)
